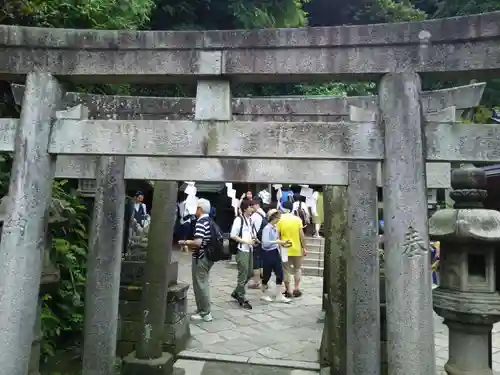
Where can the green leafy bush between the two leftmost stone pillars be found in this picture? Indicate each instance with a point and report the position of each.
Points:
(62, 310)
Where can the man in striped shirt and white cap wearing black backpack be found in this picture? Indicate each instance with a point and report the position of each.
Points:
(207, 246)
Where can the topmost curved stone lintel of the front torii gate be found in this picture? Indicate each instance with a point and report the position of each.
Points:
(452, 45)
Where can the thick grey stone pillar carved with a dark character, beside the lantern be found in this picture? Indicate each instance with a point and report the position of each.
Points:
(410, 331)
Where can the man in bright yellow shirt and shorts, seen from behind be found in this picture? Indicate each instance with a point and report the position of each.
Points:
(290, 229)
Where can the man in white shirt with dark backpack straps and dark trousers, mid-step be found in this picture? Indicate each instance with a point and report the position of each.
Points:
(243, 233)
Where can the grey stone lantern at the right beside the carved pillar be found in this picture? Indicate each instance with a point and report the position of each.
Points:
(468, 296)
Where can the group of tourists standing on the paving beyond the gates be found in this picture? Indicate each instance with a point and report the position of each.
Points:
(264, 241)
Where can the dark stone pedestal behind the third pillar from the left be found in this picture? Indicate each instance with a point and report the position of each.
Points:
(176, 330)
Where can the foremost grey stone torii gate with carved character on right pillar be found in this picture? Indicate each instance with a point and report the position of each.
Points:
(398, 138)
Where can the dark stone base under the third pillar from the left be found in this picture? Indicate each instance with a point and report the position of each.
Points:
(159, 366)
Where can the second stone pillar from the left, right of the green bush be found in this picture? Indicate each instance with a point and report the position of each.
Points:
(103, 268)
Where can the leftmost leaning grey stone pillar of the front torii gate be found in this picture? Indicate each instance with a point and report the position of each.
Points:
(22, 243)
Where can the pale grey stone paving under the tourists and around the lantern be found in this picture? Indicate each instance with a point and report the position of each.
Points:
(273, 332)
